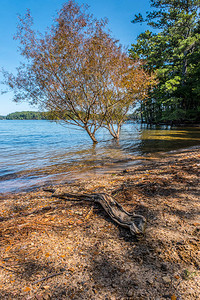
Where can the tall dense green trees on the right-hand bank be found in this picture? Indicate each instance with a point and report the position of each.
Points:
(173, 54)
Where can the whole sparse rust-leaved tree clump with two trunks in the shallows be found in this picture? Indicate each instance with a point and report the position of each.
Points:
(76, 71)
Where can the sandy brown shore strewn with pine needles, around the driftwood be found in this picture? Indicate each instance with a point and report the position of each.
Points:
(53, 249)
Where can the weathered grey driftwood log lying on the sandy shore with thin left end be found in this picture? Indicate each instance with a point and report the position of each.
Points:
(136, 223)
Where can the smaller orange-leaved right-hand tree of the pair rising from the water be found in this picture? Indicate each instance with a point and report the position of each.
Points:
(131, 86)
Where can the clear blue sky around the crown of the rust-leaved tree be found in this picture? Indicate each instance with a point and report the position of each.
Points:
(119, 13)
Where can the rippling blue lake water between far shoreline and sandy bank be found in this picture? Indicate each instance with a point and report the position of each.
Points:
(35, 153)
